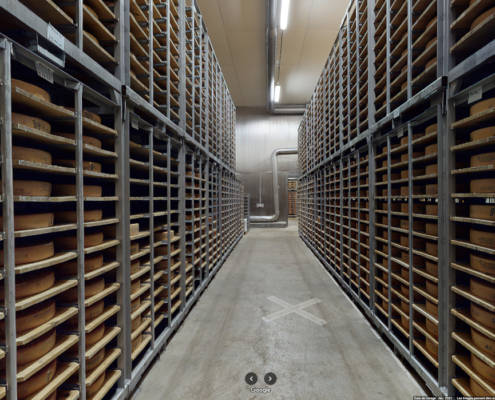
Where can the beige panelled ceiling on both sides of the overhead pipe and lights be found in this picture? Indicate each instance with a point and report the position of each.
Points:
(237, 29)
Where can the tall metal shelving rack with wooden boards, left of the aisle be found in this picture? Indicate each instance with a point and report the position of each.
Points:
(170, 115)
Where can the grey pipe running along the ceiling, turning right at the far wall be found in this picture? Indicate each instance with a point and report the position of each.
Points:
(271, 63)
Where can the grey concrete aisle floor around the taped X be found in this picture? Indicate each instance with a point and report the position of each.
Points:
(225, 337)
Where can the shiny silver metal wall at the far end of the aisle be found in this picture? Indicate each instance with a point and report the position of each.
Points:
(258, 135)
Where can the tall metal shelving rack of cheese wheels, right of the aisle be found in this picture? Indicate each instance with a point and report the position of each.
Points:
(390, 208)
